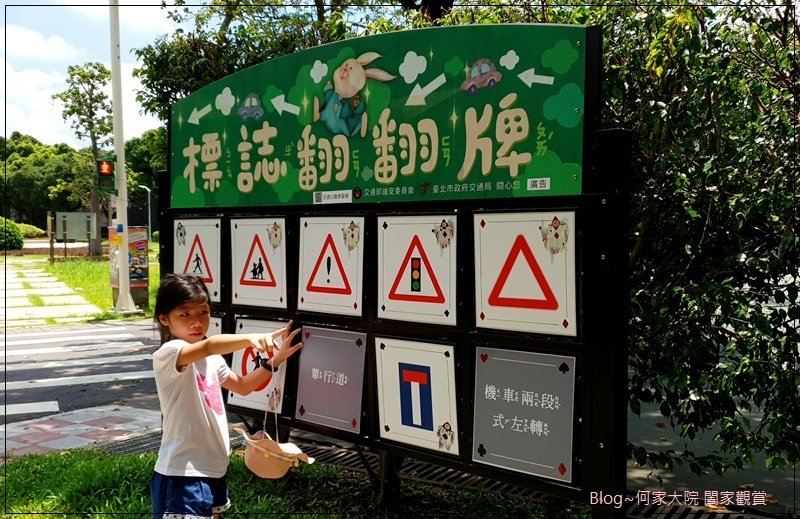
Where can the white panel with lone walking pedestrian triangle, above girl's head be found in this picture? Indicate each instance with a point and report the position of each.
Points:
(196, 251)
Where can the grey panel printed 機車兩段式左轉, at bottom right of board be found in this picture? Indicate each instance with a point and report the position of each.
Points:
(524, 412)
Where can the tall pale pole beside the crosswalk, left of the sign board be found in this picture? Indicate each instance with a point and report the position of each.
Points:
(124, 300)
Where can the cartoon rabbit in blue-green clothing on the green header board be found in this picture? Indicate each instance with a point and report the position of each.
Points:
(344, 110)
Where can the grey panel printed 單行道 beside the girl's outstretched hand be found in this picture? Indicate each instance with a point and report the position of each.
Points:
(331, 378)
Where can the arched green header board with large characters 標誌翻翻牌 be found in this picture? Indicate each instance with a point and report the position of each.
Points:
(455, 113)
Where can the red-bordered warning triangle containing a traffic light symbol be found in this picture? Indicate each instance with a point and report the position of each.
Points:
(416, 272)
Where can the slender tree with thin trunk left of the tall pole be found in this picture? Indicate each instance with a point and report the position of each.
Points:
(88, 109)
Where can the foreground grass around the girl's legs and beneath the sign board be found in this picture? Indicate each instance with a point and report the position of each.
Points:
(92, 482)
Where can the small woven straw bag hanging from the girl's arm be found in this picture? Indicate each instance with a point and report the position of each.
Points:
(267, 458)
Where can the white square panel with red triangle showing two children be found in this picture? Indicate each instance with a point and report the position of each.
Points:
(258, 257)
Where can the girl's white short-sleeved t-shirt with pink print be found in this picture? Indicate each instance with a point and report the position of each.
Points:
(195, 439)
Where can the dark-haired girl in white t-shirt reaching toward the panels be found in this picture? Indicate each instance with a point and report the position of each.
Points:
(189, 480)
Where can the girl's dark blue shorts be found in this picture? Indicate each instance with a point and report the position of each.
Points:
(185, 497)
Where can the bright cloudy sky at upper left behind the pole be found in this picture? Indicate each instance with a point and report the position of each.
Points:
(42, 38)
